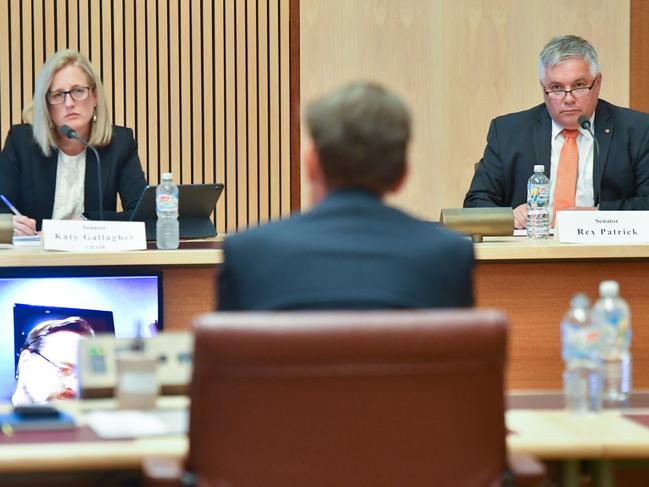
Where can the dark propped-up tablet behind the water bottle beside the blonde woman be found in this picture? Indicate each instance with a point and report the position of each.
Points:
(196, 204)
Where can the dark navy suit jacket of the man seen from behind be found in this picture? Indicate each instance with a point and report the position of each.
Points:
(349, 252)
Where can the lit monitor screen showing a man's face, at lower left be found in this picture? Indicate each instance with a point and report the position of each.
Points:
(111, 304)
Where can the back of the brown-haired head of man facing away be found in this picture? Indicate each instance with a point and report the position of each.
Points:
(360, 132)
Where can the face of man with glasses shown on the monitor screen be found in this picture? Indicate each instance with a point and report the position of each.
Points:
(51, 372)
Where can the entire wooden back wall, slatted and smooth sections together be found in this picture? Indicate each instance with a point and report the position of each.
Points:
(210, 88)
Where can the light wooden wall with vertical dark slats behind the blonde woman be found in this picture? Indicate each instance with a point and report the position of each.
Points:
(204, 84)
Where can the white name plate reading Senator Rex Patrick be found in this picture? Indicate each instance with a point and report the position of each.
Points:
(603, 227)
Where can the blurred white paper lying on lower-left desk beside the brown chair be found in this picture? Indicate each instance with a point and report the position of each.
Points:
(137, 424)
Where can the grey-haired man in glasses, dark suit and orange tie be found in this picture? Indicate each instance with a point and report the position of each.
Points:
(614, 178)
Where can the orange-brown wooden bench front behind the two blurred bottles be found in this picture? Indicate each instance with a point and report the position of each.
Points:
(534, 346)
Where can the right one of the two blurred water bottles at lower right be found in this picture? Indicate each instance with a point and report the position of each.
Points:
(613, 313)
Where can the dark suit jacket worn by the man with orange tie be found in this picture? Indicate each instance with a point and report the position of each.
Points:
(519, 140)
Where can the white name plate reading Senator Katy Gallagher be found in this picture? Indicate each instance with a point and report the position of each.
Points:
(91, 236)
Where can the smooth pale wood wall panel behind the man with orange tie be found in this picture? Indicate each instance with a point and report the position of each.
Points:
(457, 64)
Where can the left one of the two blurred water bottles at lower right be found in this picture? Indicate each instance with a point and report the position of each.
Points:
(581, 341)
